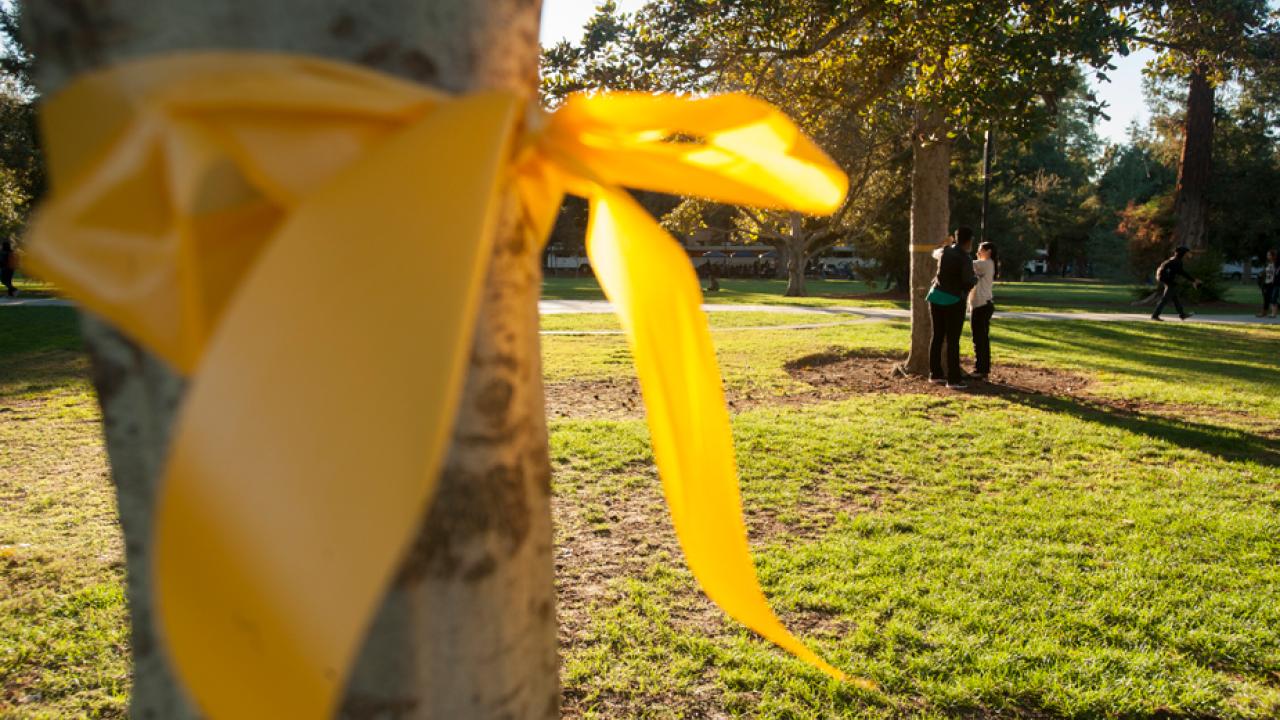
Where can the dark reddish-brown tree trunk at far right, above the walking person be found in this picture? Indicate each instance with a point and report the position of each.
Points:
(1191, 199)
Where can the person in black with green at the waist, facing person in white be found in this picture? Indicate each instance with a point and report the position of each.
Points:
(947, 308)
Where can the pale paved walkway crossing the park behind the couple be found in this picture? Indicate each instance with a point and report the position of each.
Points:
(602, 307)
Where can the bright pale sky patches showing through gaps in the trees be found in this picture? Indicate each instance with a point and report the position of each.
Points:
(564, 20)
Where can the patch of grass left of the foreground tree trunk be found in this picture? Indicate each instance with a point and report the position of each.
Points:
(63, 618)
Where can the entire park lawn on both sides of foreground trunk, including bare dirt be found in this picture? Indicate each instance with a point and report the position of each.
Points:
(1105, 544)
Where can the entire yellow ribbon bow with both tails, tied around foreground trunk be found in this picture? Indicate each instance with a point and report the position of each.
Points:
(203, 203)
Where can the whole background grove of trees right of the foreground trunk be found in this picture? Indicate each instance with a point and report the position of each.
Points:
(902, 93)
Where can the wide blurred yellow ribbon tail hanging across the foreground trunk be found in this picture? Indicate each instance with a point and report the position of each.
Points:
(314, 434)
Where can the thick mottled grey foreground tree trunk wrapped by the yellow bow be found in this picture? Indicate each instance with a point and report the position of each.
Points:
(469, 627)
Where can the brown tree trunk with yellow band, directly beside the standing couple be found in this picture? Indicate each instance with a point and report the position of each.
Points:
(931, 215)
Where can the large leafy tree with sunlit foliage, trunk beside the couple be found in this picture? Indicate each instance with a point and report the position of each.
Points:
(940, 66)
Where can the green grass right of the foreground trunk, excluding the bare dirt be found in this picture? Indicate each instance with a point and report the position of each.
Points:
(1030, 557)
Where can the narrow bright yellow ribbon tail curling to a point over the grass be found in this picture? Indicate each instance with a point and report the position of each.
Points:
(653, 288)
